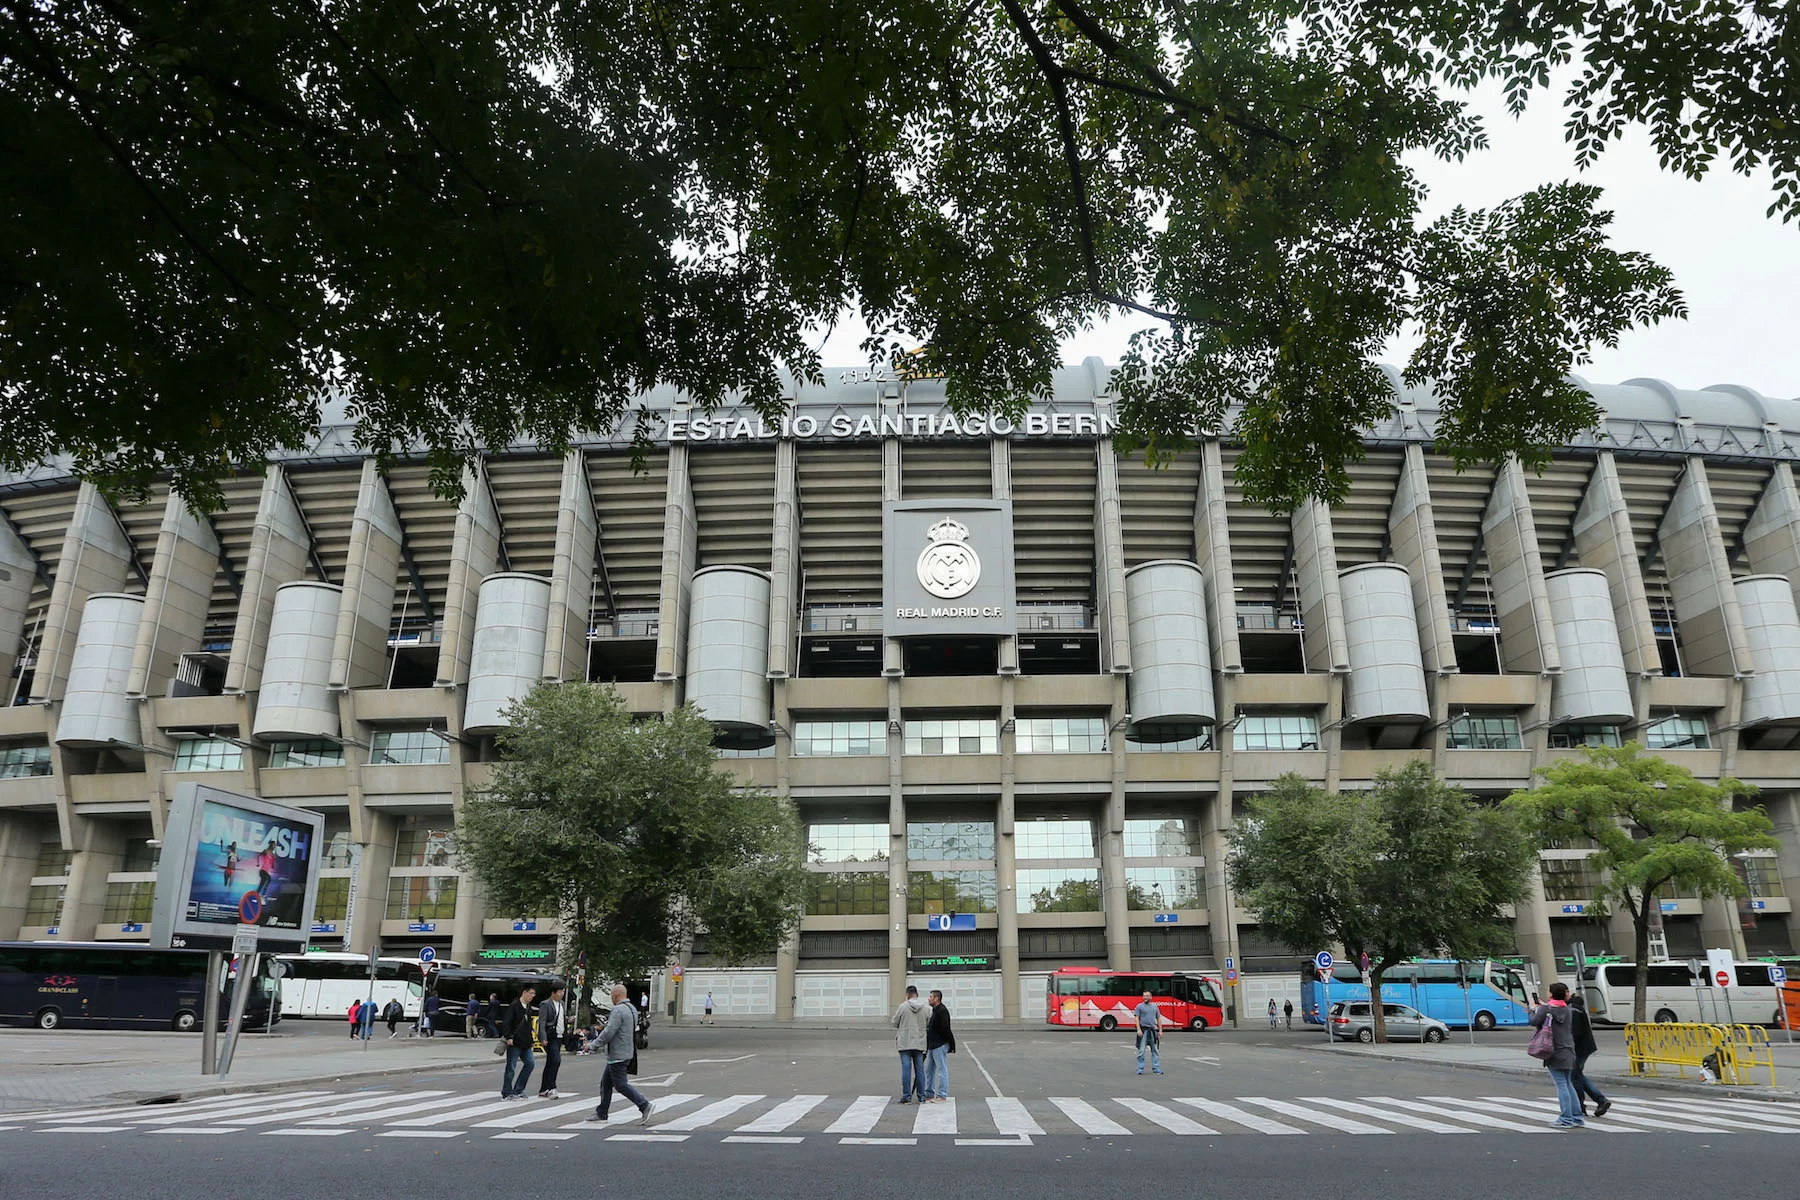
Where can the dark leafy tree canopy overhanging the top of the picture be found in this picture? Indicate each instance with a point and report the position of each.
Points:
(476, 224)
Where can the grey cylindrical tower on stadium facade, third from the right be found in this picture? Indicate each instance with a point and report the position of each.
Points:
(1381, 629)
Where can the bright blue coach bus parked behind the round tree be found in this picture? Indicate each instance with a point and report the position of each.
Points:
(1435, 987)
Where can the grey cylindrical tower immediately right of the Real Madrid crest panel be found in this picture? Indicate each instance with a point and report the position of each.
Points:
(1173, 665)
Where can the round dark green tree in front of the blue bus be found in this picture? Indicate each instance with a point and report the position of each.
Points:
(1405, 870)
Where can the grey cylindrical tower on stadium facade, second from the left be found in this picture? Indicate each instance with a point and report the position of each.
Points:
(296, 703)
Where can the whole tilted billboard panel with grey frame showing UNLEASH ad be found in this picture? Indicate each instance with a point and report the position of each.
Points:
(233, 861)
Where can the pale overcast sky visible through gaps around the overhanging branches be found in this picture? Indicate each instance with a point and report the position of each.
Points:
(1738, 267)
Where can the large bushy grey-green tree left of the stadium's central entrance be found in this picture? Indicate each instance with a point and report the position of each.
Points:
(631, 834)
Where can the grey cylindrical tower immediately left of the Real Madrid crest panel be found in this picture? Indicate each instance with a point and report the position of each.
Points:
(728, 652)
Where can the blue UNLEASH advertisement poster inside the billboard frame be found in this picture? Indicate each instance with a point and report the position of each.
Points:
(249, 870)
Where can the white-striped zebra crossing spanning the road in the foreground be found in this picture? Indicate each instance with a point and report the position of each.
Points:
(879, 1122)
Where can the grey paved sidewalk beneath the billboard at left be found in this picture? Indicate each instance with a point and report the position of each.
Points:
(40, 1071)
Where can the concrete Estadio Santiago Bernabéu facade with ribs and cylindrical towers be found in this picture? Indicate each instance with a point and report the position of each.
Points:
(1000, 670)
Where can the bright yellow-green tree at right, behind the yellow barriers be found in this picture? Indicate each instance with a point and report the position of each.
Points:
(1653, 825)
